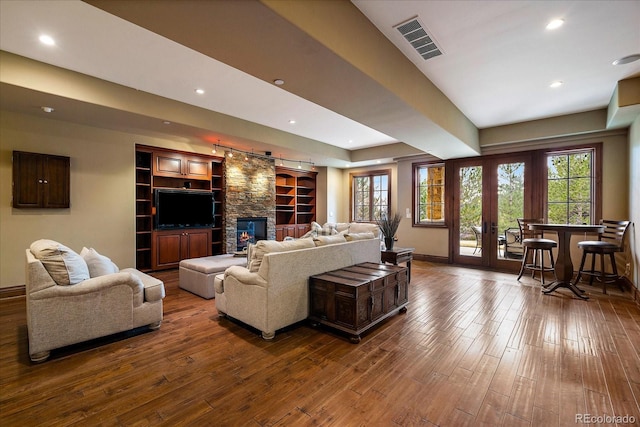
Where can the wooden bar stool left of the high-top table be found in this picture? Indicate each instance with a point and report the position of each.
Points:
(533, 242)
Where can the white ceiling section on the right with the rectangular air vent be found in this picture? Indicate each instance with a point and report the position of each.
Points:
(499, 59)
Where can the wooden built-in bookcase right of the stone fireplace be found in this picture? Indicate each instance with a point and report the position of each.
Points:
(295, 202)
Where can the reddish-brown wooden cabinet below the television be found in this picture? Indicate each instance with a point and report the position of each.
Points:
(172, 246)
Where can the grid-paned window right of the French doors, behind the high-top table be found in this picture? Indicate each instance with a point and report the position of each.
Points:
(570, 187)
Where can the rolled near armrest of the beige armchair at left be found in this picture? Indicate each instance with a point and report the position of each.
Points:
(93, 285)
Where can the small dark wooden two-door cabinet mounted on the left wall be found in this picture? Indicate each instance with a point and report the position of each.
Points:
(41, 180)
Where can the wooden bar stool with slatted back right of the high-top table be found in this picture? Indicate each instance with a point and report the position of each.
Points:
(610, 241)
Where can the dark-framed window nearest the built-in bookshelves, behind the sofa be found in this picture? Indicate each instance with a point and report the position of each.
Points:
(370, 195)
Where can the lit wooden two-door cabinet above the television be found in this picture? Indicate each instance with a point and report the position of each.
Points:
(178, 165)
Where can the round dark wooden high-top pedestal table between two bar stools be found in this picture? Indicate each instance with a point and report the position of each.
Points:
(564, 265)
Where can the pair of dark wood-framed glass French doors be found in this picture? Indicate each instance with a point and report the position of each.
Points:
(491, 193)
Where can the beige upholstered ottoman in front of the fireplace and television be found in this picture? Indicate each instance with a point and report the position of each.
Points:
(197, 274)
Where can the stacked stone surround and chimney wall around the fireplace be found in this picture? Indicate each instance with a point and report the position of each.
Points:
(250, 191)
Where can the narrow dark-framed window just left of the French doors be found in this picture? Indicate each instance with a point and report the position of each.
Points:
(429, 206)
